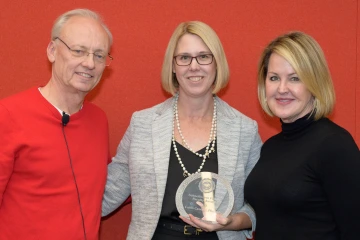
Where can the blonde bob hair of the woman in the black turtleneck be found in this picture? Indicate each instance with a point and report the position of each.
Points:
(307, 58)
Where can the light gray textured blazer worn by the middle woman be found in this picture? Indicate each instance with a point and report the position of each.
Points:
(140, 166)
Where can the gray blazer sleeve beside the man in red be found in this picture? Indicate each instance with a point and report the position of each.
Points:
(117, 188)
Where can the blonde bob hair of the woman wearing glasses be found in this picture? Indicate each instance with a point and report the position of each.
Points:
(212, 41)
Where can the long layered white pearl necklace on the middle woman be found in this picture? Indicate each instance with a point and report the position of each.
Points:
(212, 139)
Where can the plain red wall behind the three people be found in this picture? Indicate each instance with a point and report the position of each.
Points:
(141, 32)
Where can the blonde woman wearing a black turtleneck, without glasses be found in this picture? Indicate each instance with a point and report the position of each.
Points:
(306, 182)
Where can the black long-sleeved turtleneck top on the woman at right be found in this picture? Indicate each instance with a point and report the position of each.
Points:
(306, 184)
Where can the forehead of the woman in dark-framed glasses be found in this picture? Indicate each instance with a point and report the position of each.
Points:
(191, 43)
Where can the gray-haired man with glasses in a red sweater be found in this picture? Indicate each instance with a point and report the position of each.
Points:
(54, 145)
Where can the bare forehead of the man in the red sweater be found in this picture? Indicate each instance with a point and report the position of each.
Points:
(86, 32)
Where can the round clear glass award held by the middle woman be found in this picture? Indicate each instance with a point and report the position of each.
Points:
(204, 195)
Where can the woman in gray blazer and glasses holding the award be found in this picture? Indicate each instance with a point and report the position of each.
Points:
(194, 131)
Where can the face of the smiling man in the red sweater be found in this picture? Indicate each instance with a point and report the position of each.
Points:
(78, 74)
